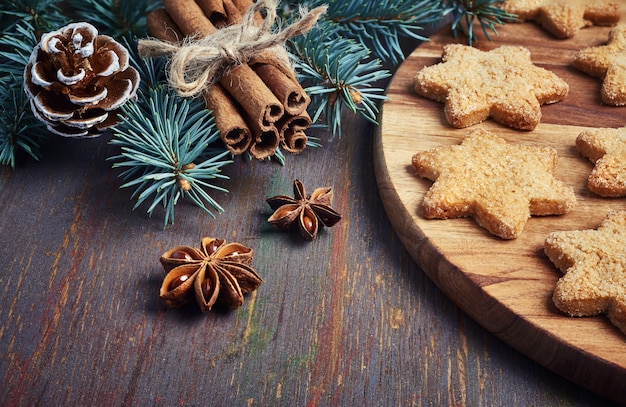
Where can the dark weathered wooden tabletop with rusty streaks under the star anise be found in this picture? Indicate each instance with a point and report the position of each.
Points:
(347, 319)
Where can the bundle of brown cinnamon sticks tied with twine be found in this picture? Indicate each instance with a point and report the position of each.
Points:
(259, 105)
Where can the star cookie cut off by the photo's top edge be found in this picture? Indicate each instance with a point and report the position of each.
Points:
(564, 18)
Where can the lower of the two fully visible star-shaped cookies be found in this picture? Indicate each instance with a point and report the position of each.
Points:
(499, 184)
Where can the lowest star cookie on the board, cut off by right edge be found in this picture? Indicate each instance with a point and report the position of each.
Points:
(594, 267)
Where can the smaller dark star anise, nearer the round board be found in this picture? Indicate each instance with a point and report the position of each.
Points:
(305, 212)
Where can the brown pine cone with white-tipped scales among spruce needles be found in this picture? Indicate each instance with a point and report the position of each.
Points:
(76, 80)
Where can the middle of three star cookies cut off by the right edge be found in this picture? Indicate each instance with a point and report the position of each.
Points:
(606, 148)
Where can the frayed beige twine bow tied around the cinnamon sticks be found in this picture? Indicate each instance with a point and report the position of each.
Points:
(196, 63)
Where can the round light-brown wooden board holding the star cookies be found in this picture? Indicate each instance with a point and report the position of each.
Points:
(507, 285)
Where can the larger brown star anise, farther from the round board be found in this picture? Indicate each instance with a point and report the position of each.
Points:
(217, 272)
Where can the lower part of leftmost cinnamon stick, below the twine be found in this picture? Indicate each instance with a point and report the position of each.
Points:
(233, 129)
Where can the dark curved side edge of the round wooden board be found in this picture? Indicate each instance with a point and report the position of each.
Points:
(566, 361)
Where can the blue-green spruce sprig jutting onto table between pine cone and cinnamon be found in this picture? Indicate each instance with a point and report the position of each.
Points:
(165, 152)
